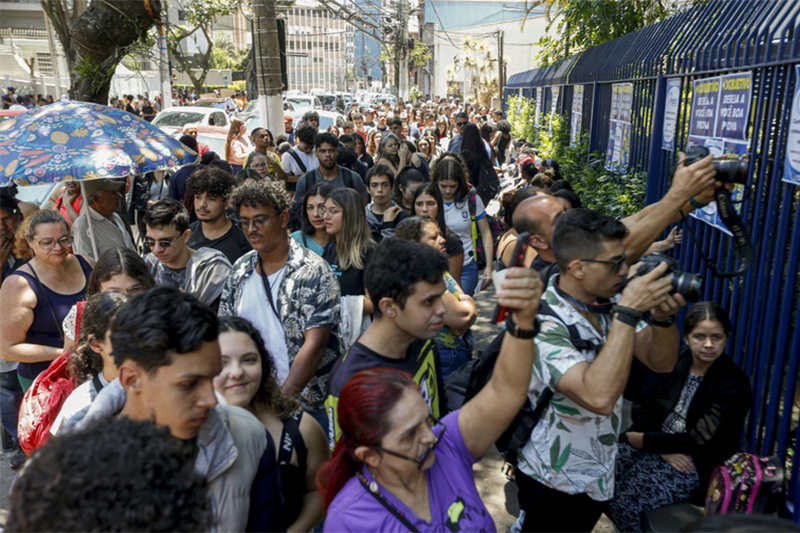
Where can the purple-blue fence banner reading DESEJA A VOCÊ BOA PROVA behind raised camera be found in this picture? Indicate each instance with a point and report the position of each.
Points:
(719, 121)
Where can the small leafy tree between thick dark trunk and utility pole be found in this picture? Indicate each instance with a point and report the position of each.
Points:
(199, 16)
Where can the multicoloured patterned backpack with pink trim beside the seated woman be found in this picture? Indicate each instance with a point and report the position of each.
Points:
(745, 484)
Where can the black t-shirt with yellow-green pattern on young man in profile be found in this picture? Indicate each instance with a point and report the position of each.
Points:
(421, 361)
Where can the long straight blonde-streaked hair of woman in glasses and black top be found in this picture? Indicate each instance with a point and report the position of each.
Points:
(355, 237)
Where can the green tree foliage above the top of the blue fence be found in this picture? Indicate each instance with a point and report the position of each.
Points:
(582, 24)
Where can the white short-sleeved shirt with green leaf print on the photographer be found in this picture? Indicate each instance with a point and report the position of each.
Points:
(572, 449)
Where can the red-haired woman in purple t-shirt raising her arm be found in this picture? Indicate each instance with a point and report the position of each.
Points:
(396, 468)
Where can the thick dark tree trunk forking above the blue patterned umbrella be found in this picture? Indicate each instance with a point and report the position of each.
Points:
(96, 37)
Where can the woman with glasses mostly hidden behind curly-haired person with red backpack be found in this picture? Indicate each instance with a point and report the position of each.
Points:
(118, 270)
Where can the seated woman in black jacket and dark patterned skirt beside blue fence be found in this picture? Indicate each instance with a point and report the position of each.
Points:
(686, 423)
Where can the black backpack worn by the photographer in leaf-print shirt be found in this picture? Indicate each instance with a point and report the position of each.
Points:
(468, 380)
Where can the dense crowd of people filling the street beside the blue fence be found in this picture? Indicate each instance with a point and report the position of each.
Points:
(290, 315)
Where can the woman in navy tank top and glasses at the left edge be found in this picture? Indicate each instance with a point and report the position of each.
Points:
(38, 295)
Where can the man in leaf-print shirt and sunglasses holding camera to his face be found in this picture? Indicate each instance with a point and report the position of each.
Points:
(565, 471)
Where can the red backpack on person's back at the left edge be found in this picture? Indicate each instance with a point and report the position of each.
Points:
(43, 399)
